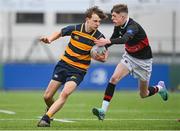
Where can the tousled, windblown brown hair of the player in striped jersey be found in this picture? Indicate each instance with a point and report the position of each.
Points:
(95, 10)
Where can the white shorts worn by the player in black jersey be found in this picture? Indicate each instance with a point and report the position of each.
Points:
(139, 68)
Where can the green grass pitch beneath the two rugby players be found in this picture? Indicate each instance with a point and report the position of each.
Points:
(127, 112)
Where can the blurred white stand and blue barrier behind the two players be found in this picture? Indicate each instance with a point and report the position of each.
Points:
(27, 64)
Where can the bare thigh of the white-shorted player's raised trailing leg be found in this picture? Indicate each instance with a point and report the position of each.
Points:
(143, 86)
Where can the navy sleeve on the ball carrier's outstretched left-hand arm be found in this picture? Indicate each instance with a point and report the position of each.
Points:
(66, 31)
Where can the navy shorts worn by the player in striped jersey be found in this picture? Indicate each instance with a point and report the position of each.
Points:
(64, 72)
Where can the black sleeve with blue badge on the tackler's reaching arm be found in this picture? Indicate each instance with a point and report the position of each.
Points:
(128, 35)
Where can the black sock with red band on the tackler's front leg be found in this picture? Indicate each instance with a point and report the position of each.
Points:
(109, 92)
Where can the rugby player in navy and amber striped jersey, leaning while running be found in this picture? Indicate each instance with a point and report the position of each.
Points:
(73, 65)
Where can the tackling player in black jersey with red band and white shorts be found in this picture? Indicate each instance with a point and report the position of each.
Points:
(137, 59)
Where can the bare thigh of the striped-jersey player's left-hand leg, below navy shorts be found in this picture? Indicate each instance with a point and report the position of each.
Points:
(52, 88)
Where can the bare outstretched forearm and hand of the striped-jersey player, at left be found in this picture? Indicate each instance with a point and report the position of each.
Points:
(50, 38)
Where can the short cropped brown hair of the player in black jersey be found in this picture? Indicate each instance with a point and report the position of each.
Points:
(120, 8)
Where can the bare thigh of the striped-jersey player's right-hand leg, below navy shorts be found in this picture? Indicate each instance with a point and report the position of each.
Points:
(69, 87)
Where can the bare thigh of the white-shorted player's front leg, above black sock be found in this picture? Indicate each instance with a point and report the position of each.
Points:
(120, 71)
